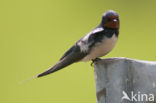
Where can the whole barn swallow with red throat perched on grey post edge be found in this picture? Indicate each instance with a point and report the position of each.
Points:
(95, 44)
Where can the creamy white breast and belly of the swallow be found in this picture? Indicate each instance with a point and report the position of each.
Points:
(102, 48)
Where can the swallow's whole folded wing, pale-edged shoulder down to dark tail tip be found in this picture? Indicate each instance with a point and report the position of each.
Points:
(76, 52)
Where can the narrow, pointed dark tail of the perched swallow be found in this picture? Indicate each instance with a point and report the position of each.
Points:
(60, 65)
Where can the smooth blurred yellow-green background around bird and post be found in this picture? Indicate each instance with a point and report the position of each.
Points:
(35, 33)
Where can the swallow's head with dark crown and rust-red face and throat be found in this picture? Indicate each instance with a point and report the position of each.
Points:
(110, 19)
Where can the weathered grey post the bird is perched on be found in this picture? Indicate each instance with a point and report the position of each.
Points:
(122, 80)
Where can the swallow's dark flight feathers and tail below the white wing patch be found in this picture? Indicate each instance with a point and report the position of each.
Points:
(72, 55)
